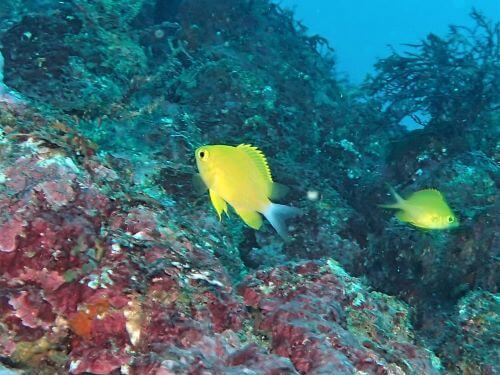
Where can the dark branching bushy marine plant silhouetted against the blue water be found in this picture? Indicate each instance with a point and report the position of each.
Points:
(448, 85)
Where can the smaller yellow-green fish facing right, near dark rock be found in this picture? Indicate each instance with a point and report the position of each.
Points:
(424, 209)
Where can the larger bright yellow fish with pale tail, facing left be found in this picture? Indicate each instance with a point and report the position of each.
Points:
(241, 177)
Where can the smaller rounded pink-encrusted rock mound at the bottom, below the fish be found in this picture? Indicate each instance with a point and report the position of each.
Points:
(327, 323)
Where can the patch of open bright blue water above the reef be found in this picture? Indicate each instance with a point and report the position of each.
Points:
(390, 22)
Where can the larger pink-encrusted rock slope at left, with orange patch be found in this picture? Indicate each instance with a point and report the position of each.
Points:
(91, 285)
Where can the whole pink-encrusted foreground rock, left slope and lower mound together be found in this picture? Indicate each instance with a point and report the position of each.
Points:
(95, 283)
